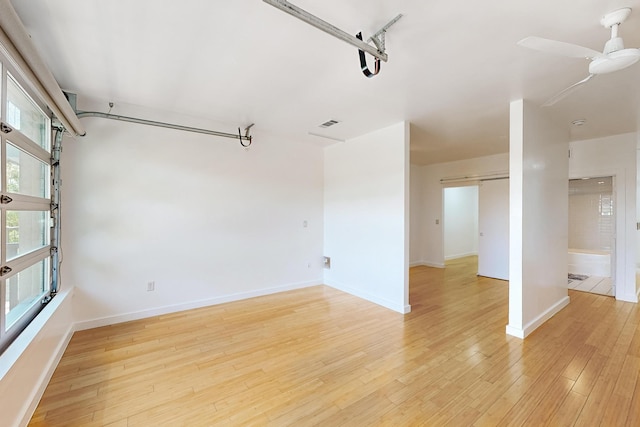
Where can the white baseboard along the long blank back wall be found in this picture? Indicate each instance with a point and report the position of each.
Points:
(142, 314)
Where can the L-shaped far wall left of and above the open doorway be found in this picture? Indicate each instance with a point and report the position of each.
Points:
(429, 246)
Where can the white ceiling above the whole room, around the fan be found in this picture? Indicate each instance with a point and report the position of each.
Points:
(453, 66)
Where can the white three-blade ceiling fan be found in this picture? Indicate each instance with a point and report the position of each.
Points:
(614, 57)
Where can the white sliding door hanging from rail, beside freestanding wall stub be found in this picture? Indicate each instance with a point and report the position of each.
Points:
(493, 228)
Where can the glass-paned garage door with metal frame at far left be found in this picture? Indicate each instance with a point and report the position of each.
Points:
(26, 224)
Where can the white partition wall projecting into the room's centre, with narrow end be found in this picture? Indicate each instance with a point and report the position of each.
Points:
(366, 220)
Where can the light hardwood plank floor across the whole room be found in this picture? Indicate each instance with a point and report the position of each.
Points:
(318, 356)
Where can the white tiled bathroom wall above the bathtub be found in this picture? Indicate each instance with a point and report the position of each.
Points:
(591, 216)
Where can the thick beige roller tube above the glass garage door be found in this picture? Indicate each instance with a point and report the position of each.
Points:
(16, 41)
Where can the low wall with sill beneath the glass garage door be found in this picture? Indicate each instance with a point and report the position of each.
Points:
(27, 365)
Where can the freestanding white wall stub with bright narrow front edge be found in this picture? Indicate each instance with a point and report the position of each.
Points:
(538, 230)
